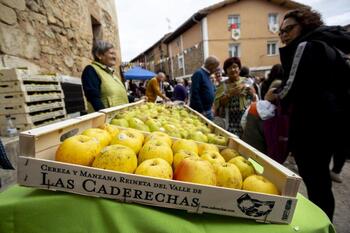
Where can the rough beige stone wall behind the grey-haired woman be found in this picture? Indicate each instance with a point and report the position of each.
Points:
(55, 35)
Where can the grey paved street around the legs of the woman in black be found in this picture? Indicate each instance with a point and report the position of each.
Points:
(342, 200)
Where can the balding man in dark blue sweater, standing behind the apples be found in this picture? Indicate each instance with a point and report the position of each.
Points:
(202, 89)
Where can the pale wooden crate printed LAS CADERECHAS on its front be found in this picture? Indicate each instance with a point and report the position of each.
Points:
(37, 168)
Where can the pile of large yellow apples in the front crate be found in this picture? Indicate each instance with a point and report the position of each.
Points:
(157, 155)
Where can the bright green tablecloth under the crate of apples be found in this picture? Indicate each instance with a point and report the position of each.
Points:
(27, 210)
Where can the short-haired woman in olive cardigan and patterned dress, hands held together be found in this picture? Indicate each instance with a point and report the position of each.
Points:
(233, 96)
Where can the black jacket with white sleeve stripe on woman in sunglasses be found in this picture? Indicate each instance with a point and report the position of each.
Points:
(312, 99)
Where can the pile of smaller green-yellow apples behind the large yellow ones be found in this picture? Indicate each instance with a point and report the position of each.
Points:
(176, 121)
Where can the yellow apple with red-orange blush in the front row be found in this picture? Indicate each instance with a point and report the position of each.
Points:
(195, 170)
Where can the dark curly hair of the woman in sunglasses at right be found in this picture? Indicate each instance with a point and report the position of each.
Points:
(307, 18)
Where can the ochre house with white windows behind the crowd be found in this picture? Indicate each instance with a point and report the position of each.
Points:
(246, 28)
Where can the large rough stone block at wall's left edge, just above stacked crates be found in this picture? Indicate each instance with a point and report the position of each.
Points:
(14, 41)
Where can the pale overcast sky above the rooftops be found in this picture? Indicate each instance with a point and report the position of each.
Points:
(143, 22)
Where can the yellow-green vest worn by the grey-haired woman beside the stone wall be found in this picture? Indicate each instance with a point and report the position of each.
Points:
(113, 92)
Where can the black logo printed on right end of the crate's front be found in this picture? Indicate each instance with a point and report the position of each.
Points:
(253, 207)
